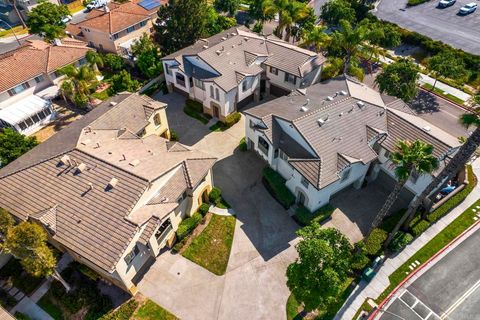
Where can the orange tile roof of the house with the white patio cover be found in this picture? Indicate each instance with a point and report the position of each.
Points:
(36, 57)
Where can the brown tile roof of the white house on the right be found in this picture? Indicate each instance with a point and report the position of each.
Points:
(337, 120)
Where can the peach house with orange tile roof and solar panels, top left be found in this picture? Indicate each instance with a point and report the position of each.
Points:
(115, 27)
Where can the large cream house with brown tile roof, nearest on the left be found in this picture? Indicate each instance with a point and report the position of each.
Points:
(106, 194)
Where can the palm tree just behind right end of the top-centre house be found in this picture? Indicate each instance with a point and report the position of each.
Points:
(347, 43)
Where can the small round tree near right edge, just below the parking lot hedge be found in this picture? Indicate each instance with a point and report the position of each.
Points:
(448, 65)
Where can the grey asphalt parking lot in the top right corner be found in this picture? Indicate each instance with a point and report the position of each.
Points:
(462, 32)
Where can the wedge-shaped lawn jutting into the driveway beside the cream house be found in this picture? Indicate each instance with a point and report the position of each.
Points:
(211, 248)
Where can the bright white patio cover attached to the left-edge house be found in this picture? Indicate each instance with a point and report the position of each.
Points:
(19, 111)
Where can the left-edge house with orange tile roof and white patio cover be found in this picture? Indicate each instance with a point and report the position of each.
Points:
(30, 79)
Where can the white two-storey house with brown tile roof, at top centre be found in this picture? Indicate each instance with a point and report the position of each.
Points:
(235, 67)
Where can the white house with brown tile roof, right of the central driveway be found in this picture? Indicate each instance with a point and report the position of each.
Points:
(338, 134)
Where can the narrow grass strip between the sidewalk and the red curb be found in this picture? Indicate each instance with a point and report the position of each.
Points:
(463, 222)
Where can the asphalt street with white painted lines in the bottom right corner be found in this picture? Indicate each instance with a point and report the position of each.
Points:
(450, 289)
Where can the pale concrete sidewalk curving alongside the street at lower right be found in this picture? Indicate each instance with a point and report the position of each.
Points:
(380, 282)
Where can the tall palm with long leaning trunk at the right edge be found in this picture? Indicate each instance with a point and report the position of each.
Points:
(458, 162)
